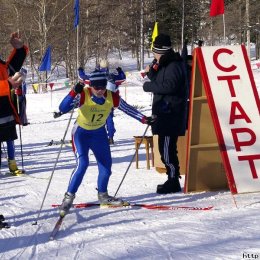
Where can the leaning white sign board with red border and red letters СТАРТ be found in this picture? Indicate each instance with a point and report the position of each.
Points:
(234, 105)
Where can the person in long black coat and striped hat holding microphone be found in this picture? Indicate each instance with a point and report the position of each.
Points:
(168, 83)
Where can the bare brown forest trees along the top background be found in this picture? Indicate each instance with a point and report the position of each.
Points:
(116, 27)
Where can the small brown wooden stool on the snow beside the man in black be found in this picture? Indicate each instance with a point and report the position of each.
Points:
(148, 142)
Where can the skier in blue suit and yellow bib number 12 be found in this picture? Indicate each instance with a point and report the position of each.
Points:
(89, 132)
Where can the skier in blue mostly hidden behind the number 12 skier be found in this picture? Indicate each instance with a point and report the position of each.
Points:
(118, 77)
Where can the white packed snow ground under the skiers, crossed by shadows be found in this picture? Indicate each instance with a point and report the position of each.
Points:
(230, 230)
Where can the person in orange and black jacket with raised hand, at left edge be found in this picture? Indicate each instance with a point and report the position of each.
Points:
(9, 78)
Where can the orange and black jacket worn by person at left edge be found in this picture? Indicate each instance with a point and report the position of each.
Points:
(7, 69)
